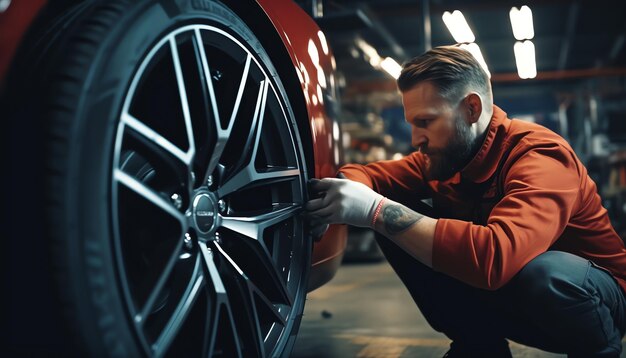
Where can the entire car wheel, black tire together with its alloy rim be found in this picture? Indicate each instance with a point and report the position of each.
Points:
(172, 232)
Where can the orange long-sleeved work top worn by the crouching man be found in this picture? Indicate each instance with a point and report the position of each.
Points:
(525, 192)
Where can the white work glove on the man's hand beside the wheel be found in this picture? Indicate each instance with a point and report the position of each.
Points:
(342, 201)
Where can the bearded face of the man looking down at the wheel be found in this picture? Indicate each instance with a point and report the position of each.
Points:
(440, 130)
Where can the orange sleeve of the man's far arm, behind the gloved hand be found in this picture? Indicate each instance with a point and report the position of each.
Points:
(392, 178)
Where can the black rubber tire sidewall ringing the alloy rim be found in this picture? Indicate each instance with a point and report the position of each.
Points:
(102, 318)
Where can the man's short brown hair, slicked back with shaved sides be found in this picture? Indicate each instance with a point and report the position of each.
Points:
(451, 69)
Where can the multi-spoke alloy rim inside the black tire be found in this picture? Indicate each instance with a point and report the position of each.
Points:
(207, 183)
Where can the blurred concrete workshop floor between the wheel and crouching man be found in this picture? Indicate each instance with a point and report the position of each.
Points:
(366, 312)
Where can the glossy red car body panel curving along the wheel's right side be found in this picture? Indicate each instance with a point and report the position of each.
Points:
(314, 63)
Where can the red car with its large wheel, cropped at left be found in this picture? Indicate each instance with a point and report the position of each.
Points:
(158, 157)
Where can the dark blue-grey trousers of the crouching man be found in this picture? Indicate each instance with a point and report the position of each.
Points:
(558, 302)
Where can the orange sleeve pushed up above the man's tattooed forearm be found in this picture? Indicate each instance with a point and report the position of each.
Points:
(541, 191)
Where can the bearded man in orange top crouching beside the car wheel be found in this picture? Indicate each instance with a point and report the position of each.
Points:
(522, 249)
